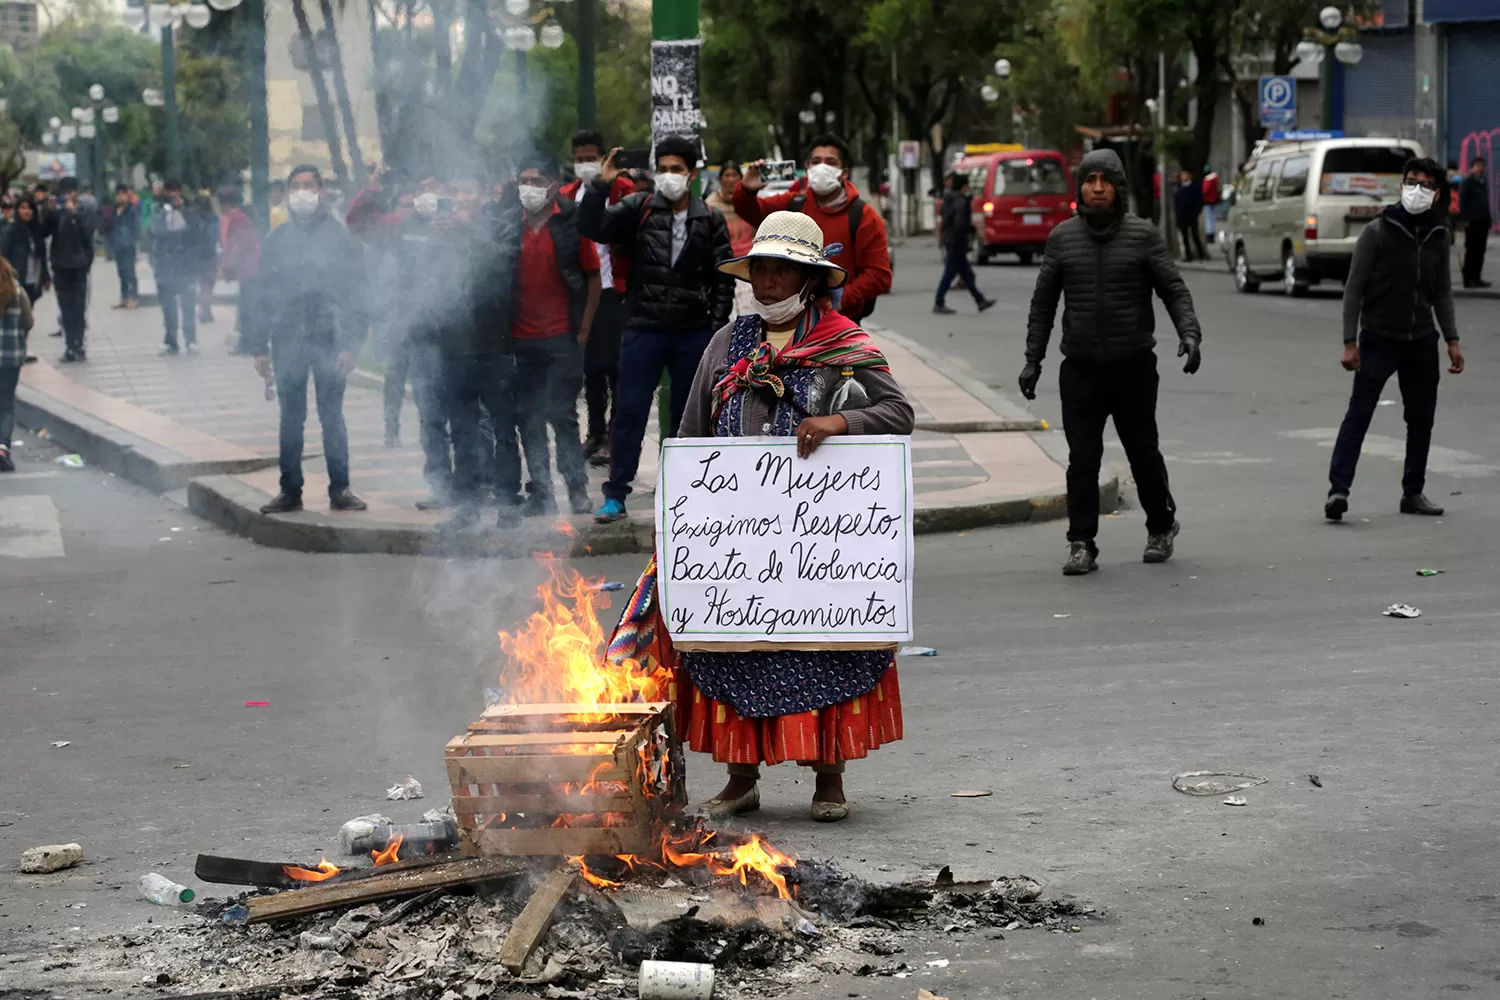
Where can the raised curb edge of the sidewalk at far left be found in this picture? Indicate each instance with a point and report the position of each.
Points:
(115, 451)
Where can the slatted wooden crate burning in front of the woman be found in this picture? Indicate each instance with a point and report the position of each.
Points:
(566, 779)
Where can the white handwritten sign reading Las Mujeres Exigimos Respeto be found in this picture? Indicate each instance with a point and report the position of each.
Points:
(760, 546)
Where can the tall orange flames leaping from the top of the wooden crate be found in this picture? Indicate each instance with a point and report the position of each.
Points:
(559, 654)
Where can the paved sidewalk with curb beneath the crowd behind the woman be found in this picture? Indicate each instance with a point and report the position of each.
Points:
(202, 425)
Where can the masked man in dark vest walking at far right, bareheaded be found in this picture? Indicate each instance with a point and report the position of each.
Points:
(1397, 299)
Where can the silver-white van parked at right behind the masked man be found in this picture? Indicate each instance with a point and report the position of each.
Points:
(1301, 208)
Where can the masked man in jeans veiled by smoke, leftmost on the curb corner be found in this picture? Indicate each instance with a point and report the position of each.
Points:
(308, 322)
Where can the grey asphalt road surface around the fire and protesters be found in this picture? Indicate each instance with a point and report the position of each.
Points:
(1259, 648)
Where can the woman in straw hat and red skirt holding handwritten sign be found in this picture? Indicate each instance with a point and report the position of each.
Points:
(793, 367)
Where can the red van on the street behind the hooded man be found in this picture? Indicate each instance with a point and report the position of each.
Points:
(1018, 200)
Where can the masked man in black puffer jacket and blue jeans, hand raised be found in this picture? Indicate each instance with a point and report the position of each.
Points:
(676, 298)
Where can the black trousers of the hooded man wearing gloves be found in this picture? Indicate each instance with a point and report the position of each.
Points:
(1127, 392)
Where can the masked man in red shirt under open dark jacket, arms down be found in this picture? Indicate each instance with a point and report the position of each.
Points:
(556, 299)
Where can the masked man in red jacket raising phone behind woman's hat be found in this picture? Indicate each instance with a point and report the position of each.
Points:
(854, 232)
